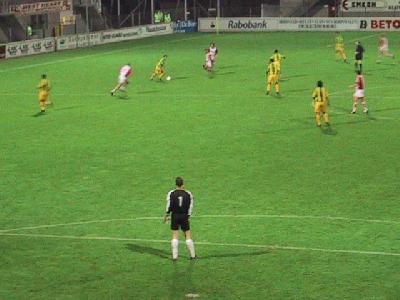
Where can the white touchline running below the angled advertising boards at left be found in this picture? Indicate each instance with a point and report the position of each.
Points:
(92, 55)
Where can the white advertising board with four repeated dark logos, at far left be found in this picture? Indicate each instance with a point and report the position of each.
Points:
(30, 47)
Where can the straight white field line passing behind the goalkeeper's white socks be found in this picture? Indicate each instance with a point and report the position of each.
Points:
(270, 247)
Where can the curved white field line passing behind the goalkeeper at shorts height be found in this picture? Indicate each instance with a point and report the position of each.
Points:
(209, 216)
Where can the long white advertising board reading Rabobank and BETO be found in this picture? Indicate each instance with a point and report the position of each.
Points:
(299, 24)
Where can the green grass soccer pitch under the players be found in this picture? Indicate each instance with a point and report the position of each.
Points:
(283, 209)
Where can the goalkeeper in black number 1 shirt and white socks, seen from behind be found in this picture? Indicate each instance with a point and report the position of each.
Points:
(180, 206)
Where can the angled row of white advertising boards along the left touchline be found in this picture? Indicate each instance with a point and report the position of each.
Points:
(75, 41)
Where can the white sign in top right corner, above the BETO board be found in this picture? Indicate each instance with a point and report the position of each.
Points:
(369, 5)
